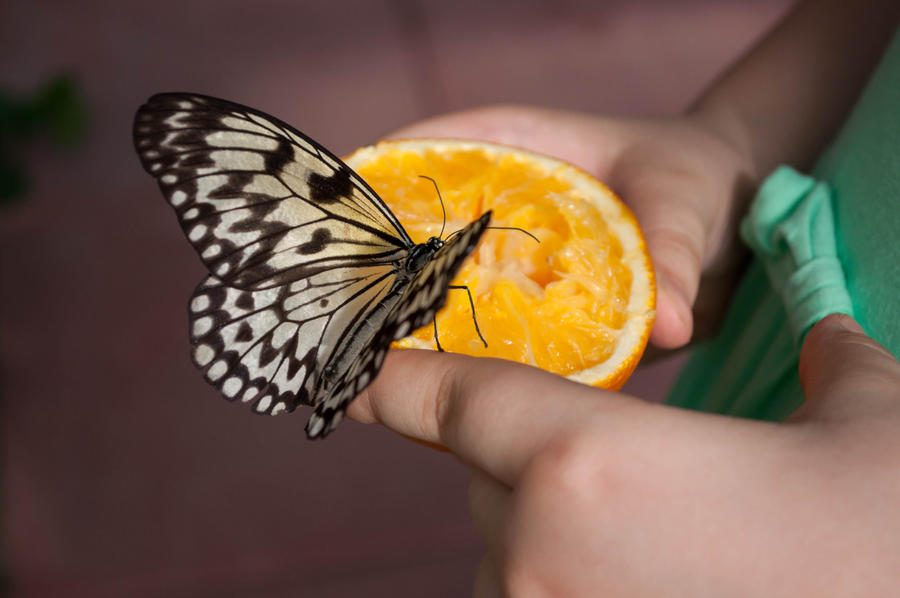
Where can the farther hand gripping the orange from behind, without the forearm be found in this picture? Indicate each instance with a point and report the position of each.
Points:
(685, 185)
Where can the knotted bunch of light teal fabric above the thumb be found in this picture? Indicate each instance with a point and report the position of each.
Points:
(790, 228)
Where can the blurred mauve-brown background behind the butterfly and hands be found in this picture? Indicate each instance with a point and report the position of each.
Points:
(123, 472)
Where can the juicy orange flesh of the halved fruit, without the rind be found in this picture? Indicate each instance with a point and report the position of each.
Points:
(557, 304)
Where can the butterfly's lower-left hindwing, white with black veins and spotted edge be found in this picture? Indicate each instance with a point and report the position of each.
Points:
(265, 347)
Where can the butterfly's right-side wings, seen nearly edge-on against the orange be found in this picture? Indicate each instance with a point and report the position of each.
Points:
(416, 306)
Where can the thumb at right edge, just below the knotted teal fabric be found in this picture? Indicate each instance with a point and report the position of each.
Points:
(843, 371)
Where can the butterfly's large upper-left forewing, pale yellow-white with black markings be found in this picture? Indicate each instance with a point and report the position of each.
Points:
(261, 203)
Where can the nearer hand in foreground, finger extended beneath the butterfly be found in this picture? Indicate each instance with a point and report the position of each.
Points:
(582, 492)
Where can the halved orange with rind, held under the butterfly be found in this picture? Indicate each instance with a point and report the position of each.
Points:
(580, 303)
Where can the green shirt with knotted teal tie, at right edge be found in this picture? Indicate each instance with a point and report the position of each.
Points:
(823, 243)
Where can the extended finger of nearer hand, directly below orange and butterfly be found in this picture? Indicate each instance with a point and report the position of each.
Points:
(492, 413)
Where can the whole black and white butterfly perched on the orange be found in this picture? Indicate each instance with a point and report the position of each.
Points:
(311, 276)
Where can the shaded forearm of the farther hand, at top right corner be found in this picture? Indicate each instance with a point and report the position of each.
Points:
(785, 99)
